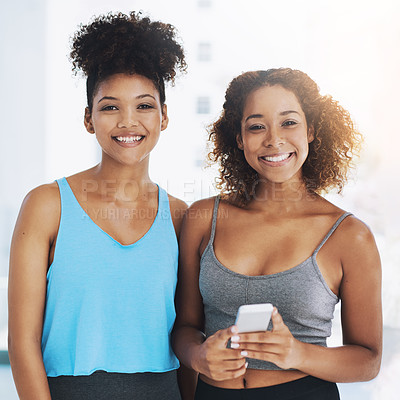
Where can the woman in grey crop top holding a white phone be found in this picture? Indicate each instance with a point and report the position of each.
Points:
(270, 237)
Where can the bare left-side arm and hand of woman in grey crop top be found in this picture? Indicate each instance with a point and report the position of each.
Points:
(209, 357)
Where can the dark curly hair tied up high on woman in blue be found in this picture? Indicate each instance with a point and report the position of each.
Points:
(120, 43)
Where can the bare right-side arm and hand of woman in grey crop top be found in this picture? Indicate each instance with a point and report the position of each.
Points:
(360, 291)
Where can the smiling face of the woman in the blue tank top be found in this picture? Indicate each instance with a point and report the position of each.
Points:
(127, 118)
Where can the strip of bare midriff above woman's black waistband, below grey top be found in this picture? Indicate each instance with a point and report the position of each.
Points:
(254, 378)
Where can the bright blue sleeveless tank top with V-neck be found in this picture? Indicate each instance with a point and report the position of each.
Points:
(109, 306)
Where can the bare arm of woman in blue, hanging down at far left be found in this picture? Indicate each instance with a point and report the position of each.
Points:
(34, 232)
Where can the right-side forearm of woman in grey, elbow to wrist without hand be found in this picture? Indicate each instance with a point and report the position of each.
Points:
(349, 363)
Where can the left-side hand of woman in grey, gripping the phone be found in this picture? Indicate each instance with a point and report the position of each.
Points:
(216, 361)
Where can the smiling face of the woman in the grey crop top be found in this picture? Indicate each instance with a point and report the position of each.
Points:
(274, 134)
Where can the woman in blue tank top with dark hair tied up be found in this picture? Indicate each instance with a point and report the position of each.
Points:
(94, 256)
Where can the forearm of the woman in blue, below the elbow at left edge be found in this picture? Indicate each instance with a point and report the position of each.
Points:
(28, 372)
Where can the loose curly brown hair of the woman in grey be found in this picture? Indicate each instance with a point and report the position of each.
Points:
(336, 140)
